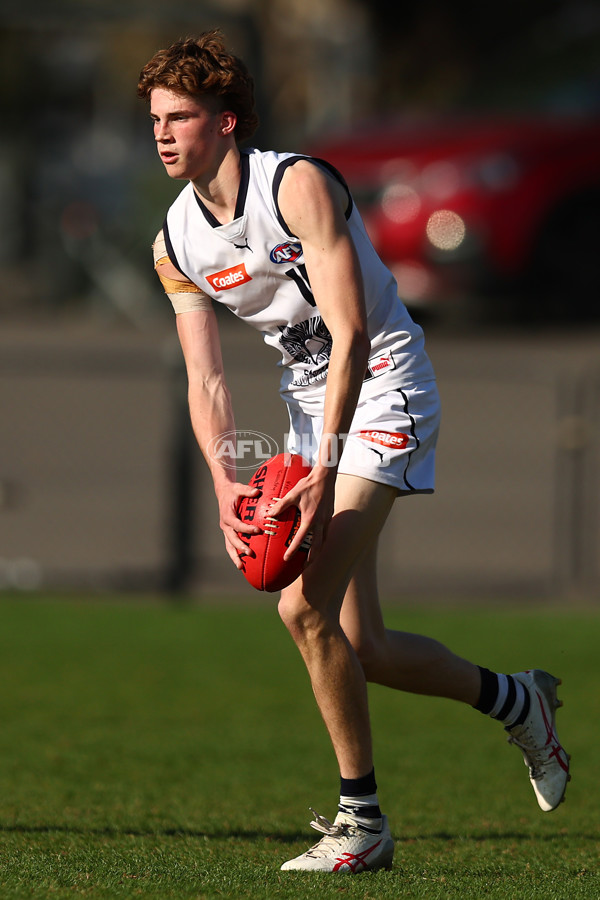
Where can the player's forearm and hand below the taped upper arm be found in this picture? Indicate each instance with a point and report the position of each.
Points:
(211, 414)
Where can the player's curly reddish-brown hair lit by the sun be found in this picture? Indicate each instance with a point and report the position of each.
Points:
(203, 68)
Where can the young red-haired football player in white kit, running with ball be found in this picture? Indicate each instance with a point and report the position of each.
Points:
(277, 238)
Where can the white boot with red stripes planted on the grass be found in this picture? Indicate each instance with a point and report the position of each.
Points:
(346, 847)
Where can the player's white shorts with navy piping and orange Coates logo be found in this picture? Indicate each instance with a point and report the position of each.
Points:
(392, 438)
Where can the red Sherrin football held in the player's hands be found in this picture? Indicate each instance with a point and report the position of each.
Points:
(267, 570)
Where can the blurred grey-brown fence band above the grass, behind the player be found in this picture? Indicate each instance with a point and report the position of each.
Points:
(102, 488)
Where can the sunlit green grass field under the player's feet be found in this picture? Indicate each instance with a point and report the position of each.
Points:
(172, 752)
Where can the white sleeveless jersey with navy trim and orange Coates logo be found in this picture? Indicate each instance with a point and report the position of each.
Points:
(255, 266)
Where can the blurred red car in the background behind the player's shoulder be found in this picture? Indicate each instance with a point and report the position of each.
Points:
(471, 205)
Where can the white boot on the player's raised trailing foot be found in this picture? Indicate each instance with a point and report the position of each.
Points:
(537, 739)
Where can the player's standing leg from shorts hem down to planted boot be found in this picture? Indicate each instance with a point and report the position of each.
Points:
(359, 837)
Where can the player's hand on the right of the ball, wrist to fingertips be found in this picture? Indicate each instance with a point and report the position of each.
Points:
(314, 497)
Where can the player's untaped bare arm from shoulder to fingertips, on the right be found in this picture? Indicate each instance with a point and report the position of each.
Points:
(313, 205)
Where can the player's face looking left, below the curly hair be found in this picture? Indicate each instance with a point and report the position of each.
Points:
(187, 133)
